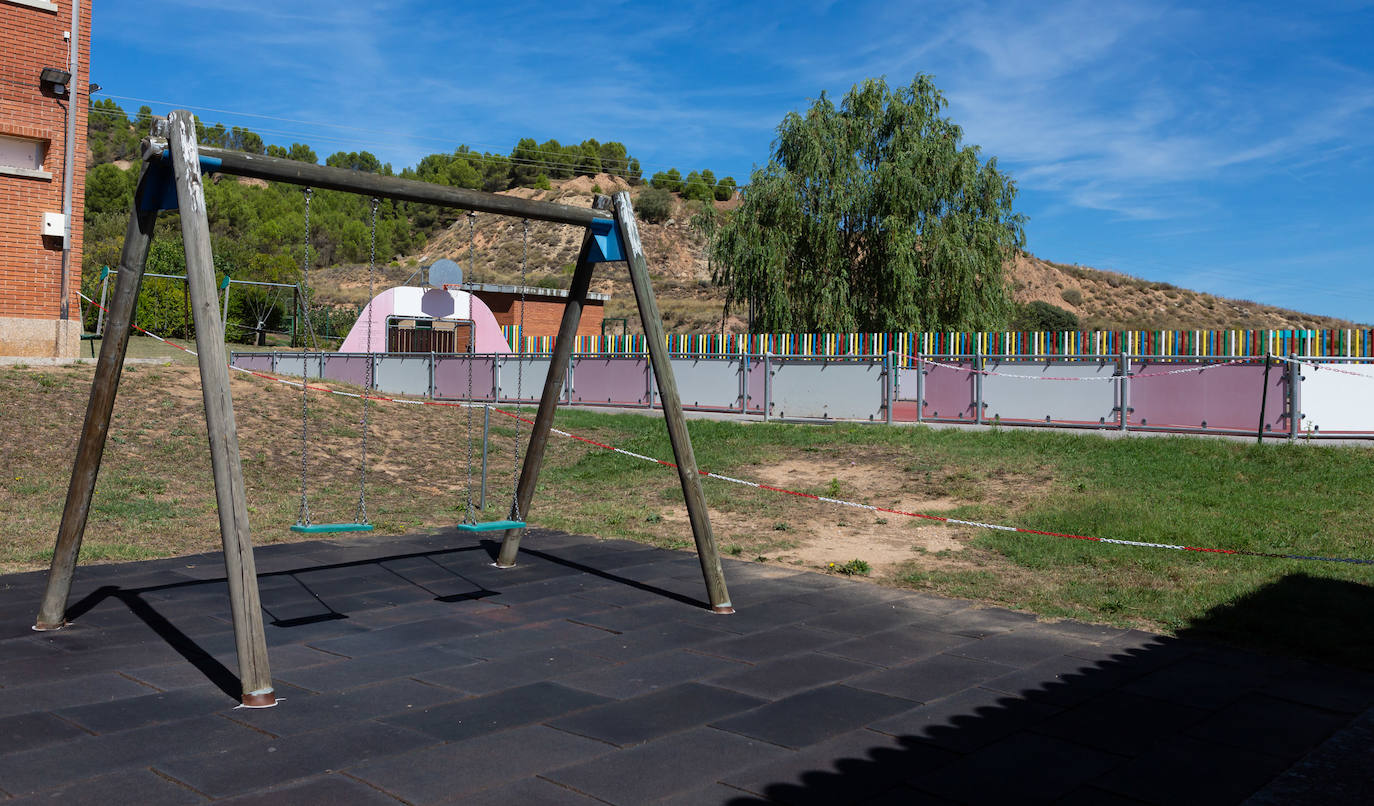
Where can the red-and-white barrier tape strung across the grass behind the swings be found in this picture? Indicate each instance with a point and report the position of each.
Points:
(795, 494)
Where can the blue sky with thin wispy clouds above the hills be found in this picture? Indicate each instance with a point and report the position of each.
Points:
(1226, 148)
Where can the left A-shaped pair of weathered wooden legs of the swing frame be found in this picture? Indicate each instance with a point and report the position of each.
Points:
(241, 573)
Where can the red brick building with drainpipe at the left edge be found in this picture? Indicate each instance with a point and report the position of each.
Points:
(43, 65)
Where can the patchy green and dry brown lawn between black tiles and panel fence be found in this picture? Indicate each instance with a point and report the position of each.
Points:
(156, 499)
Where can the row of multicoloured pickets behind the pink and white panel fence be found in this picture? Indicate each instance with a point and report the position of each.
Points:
(1327, 344)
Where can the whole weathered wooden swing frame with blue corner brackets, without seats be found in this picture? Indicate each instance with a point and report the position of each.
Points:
(172, 178)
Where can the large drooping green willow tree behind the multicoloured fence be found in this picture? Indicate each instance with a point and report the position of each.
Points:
(872, 216)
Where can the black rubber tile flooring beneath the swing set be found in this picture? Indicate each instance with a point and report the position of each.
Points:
(413, 671)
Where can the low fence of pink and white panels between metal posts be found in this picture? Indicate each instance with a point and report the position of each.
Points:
(1224, 395)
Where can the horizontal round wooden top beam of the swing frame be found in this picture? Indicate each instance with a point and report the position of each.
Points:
(374, 185)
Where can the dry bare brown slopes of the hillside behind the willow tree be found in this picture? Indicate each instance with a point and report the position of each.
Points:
(690, 304)
